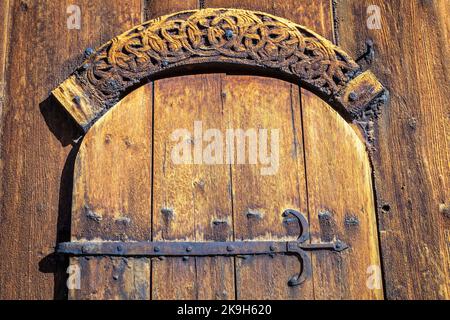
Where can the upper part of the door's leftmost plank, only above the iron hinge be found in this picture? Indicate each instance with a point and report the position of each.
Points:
(113, 173)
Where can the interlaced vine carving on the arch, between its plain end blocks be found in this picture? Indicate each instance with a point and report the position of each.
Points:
(211, 35)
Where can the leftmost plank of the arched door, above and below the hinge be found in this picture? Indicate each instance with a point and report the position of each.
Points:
(112, 198)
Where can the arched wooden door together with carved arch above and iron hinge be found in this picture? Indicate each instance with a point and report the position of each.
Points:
(162, 209)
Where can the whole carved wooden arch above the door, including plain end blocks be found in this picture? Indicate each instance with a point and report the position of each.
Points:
(233, 36)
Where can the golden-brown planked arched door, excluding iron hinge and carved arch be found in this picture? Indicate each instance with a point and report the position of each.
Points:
(128, 188)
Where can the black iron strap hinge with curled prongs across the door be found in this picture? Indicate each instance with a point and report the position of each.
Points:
(297, 248)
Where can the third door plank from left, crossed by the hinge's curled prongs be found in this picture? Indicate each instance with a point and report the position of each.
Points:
(260, 197)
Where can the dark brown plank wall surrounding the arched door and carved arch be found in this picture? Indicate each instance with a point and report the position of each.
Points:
(35, 190)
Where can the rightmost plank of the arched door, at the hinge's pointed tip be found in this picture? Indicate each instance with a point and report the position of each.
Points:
(341, 204)
